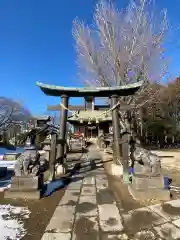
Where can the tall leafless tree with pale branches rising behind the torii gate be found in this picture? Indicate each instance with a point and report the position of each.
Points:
(123, 47)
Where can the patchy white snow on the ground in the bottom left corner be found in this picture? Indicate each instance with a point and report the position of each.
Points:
(11, 222)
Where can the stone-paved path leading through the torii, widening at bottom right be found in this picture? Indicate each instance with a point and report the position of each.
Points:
(88, 211)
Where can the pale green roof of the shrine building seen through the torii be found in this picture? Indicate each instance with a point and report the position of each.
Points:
(92, 115)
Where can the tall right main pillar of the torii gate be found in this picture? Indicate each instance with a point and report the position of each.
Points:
(116, 130)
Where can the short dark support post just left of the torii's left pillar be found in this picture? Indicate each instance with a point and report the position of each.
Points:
(52, 158)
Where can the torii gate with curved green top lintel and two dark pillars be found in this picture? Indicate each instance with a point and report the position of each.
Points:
(112, 92)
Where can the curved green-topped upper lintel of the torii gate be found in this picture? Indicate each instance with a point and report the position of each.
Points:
(53, 90)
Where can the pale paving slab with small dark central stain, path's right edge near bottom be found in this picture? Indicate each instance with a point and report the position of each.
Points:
(109, 218)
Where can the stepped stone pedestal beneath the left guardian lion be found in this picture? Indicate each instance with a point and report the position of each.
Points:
(25, 187)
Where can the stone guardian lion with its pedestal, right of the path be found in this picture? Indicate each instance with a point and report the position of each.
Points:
(147, 178)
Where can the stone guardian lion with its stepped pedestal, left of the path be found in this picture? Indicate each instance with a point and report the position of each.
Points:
(28, 179)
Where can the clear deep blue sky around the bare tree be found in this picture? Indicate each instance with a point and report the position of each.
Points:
(36, 44)
